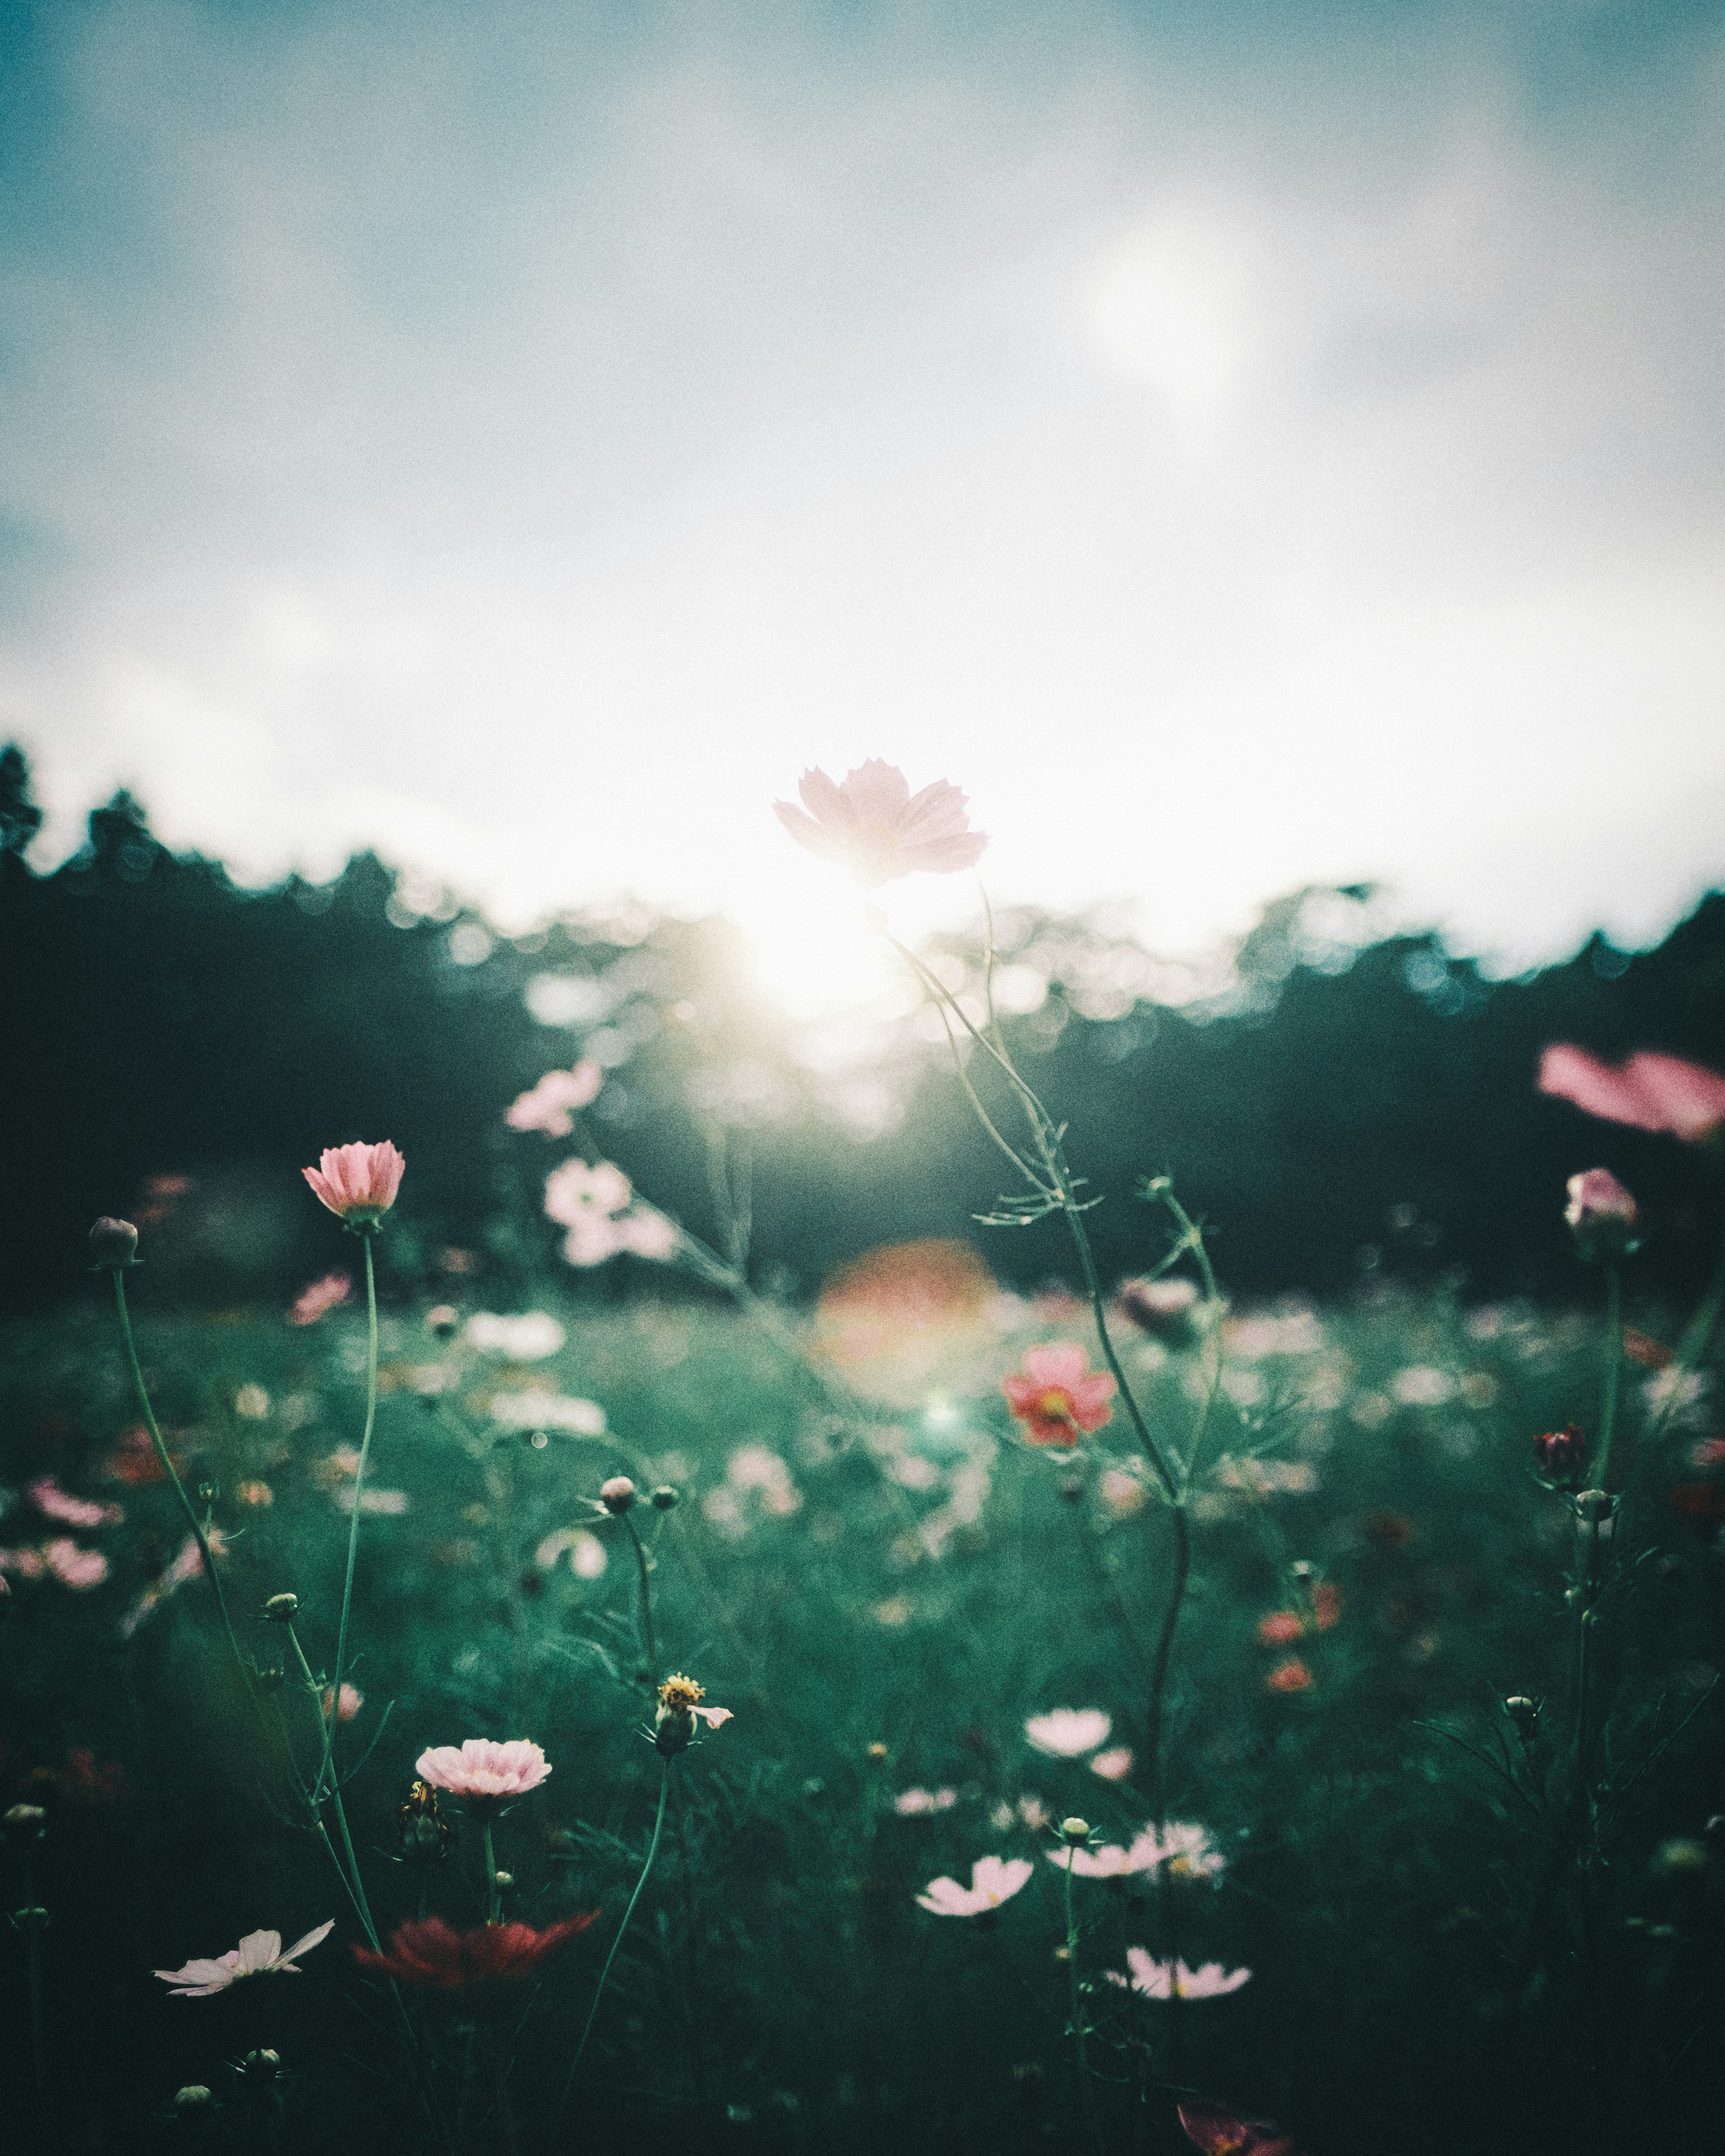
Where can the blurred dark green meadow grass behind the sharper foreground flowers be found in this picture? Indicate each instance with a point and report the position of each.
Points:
(1444, 1957)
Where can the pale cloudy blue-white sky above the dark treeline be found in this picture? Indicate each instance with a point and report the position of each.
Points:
(1241, 445)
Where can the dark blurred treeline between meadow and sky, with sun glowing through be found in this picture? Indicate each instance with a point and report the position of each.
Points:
(1331, 1114)
